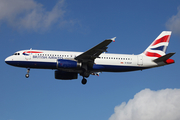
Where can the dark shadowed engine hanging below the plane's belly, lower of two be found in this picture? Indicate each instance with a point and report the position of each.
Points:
(65, 75)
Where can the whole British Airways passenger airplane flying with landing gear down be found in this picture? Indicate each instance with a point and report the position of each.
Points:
(68, 65)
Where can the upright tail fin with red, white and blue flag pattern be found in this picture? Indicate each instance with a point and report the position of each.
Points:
(159, 45)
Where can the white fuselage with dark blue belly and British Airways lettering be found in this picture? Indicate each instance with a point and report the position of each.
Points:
(106, 62)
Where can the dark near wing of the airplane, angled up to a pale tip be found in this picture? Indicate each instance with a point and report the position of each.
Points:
(94, 52)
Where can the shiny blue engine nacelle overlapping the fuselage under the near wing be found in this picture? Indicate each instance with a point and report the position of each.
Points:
(62, 63)
